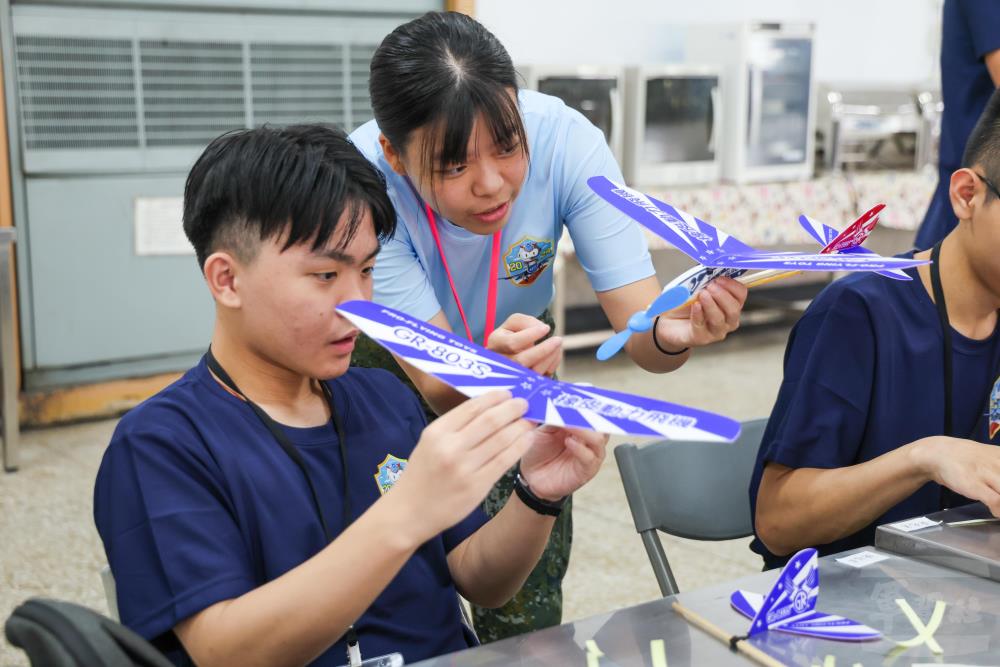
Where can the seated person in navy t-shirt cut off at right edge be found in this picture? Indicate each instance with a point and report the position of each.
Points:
(868, 426)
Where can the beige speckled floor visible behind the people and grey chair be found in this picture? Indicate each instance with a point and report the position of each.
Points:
(48, 545)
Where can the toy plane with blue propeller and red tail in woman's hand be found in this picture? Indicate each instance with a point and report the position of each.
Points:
(719, 254)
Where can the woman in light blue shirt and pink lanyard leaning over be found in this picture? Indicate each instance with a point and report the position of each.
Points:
(484, 179)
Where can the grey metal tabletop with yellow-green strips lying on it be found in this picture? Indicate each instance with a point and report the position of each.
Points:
(969, 633)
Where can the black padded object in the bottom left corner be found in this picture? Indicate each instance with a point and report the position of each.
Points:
(61, 634)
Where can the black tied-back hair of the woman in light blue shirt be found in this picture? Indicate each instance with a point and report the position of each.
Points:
(440, 72)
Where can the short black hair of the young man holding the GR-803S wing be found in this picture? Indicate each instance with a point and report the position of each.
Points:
(249, 186)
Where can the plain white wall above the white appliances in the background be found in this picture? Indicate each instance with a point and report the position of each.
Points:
(858, 41)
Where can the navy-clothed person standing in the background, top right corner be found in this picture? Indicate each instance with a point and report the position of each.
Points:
(970, 72)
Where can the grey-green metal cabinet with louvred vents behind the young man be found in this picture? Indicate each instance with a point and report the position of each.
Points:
(110, 103)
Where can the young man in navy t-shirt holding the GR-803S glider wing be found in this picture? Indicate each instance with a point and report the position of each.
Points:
(273, 506)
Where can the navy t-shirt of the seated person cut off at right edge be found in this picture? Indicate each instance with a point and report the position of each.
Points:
(864, 376)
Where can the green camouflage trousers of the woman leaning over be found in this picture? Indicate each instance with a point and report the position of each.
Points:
(539, 602)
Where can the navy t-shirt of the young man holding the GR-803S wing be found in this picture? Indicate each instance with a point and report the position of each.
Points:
(196, 503)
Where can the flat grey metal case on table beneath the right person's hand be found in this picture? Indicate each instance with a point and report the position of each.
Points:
(968, 547)
